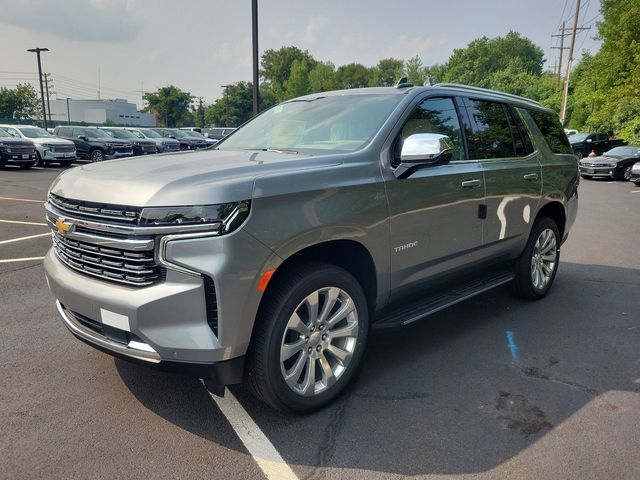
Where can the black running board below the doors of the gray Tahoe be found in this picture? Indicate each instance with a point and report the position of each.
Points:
(438, 301)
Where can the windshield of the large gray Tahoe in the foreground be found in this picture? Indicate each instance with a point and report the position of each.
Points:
(339, 123)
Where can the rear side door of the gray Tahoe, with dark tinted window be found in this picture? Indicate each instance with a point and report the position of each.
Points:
(497, 138)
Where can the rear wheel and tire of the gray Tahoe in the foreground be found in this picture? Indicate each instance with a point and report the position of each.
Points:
(536, 268)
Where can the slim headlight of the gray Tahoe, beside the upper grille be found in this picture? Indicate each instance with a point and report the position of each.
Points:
(223, 218)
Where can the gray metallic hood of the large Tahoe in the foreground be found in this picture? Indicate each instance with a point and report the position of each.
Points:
(188, 178)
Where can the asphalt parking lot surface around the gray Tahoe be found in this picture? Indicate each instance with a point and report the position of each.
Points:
(492, 388)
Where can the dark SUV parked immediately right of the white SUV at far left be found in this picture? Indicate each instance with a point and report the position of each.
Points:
(94, 144)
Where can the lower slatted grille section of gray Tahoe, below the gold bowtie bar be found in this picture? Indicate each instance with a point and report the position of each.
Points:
(135, 268)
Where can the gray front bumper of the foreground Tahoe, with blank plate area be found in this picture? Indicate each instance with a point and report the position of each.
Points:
(165, 325)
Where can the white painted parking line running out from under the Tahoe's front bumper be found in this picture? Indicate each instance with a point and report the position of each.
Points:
(256, 442)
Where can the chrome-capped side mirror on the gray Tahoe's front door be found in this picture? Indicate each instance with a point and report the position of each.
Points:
(423, 150)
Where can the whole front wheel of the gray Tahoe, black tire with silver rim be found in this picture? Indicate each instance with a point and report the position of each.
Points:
(309, 338)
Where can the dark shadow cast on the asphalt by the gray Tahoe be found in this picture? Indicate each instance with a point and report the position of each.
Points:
(460, 392)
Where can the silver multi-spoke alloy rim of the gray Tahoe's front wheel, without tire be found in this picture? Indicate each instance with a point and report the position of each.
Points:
(319, 341)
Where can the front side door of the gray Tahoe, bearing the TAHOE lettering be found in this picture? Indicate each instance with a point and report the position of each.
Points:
(435, 224)
